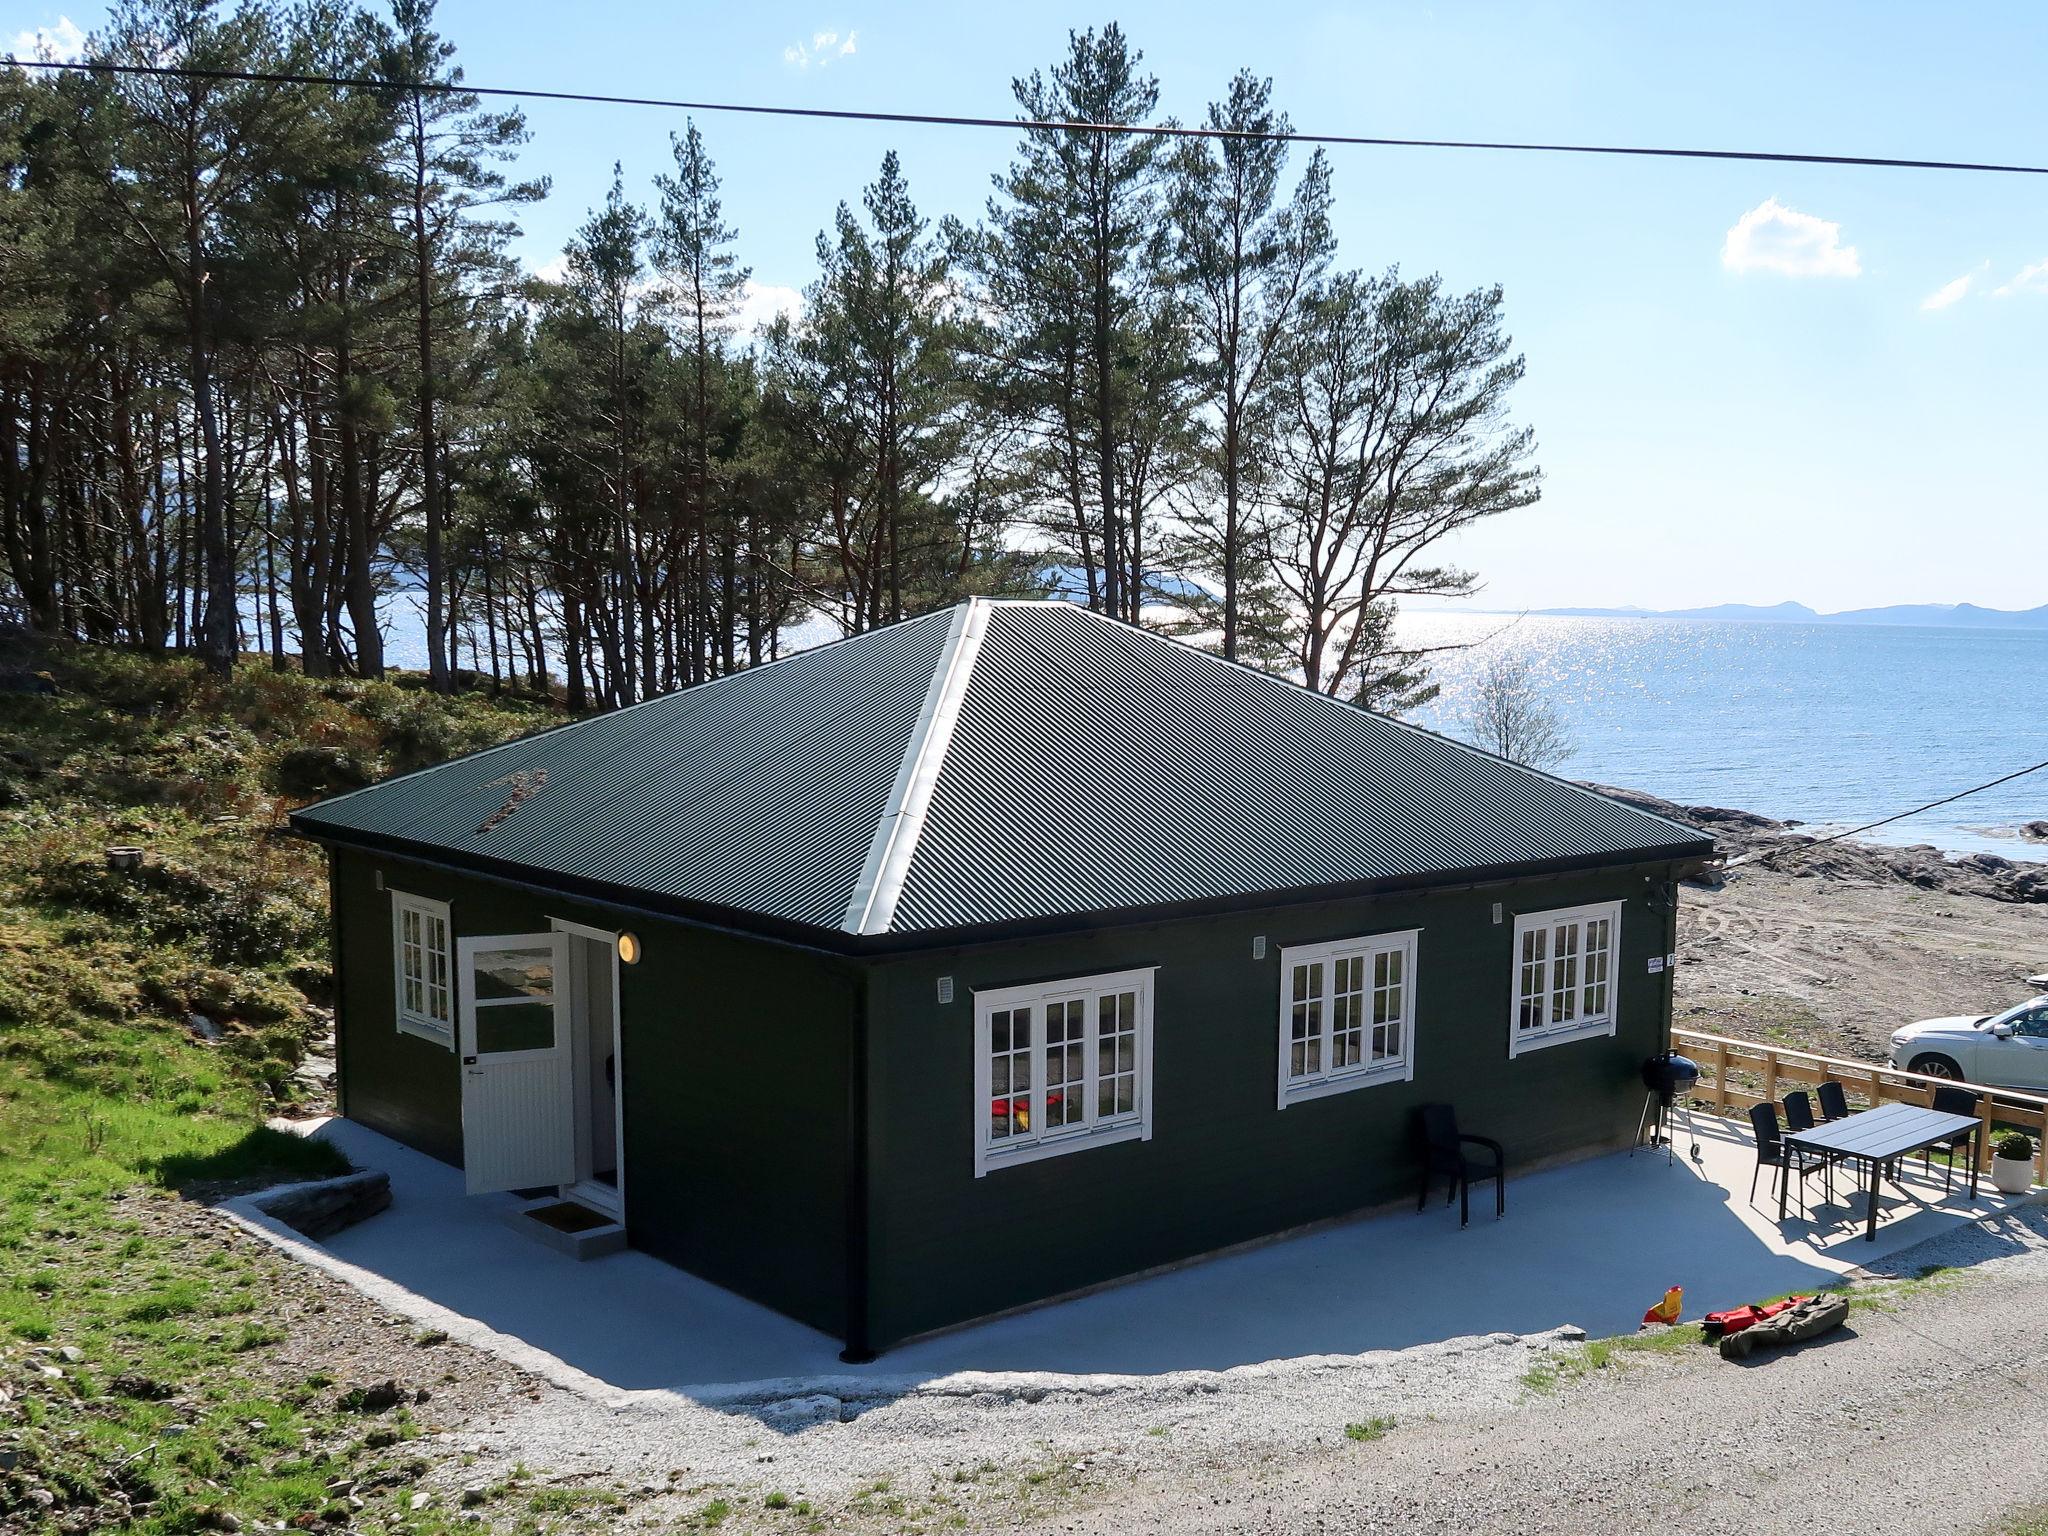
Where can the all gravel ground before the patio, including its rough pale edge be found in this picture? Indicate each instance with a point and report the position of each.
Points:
(1881, 1428)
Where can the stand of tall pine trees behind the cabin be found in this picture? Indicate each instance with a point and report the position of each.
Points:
(265, 361)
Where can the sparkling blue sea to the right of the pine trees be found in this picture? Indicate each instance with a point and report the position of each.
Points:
(1822, 724)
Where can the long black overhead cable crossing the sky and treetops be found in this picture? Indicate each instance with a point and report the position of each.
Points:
(1015, 124)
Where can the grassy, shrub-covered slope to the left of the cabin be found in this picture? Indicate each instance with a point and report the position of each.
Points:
(151, 1023)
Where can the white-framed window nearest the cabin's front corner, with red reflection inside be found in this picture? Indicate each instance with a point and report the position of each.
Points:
(1062, 1066)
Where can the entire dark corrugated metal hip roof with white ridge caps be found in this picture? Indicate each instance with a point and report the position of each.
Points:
(994, 765)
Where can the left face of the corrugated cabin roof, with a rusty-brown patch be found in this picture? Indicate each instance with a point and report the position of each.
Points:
(759, 792)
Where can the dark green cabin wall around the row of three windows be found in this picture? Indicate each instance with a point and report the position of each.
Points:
(1224, 1164)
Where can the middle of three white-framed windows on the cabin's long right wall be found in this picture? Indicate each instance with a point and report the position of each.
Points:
(1347, 1015)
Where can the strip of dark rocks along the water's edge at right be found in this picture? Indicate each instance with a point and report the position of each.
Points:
(1746, 837)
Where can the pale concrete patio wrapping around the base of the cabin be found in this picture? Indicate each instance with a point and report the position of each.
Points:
(1590, 1244)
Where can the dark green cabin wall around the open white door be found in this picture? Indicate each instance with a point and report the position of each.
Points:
(734, 1062)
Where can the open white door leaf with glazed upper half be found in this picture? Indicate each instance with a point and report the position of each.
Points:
(519, 1113)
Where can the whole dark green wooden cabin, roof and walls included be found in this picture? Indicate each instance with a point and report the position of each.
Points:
(988, 957)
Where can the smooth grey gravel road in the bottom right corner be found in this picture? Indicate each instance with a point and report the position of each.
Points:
(1922, 1420)
